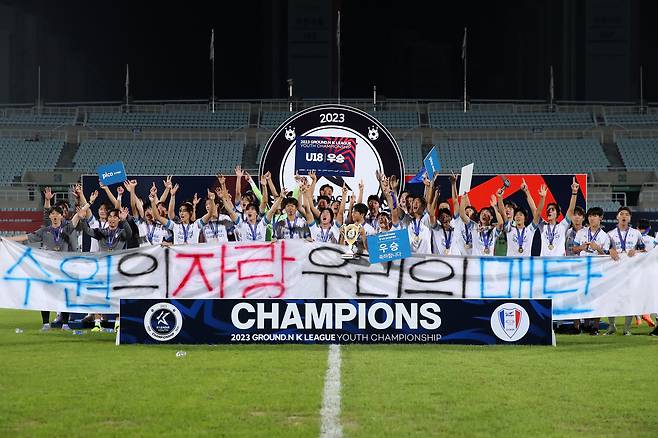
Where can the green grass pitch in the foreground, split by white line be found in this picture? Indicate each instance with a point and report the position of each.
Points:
(55, 384)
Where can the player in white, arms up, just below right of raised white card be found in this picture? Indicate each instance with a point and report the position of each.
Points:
(484, 233)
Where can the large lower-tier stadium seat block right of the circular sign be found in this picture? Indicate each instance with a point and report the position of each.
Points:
(524, 156)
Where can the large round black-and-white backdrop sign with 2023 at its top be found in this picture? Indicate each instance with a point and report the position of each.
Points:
(349, 144)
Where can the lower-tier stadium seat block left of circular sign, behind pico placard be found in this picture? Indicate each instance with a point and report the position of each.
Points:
(184, 157)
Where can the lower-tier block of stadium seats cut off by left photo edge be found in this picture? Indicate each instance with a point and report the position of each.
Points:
(20, 154)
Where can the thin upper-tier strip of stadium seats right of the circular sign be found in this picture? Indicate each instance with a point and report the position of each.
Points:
(486, 119)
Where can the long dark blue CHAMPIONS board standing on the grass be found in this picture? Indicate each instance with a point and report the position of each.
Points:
(379, 321)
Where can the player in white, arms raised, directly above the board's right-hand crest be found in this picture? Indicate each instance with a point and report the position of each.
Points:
(519, 237)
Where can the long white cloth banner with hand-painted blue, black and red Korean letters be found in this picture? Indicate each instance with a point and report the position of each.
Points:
(580, 287)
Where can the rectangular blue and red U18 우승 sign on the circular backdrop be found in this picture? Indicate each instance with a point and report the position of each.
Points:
(327, 156)
